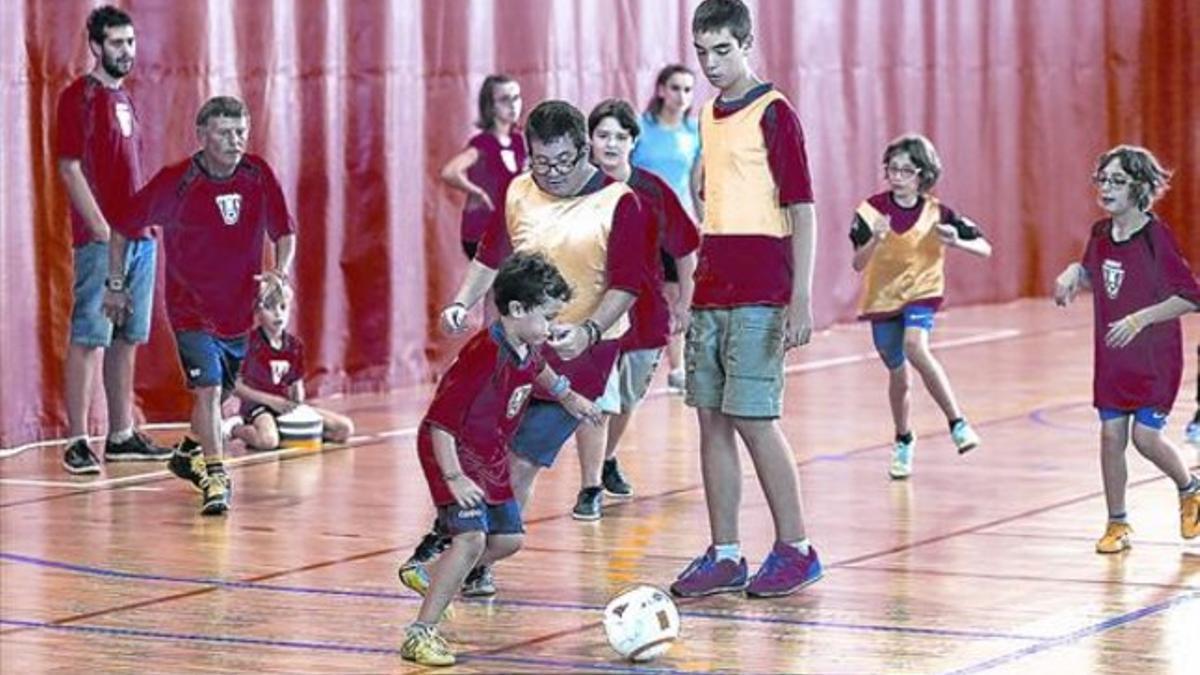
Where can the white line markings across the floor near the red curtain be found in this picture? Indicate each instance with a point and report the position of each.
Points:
(820, 365)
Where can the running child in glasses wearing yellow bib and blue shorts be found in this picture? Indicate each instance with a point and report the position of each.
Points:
(901, 240)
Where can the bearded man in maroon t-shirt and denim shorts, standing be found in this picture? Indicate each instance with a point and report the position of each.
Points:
(98, 152)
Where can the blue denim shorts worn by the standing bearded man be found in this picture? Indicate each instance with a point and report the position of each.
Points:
(89, 326)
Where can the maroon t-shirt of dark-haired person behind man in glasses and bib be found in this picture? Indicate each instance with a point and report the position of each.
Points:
(676, 237)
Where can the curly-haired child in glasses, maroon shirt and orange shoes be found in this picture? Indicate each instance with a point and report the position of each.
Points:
(1142, 285)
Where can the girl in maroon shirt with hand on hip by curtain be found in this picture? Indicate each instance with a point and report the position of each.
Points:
(484, 169)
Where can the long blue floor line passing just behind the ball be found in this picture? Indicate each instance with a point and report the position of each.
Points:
(515, 604)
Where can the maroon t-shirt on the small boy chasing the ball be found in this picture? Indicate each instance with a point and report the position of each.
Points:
(479, 402)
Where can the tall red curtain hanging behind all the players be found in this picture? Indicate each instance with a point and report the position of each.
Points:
(358, 103)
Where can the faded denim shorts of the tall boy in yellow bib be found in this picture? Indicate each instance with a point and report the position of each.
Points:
(735, 361)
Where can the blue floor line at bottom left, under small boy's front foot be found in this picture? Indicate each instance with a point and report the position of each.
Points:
(340, 648)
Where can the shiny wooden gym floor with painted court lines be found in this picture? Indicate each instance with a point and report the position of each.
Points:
(977, 564)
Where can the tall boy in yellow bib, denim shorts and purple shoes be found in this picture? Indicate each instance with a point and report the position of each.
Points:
(752, 303)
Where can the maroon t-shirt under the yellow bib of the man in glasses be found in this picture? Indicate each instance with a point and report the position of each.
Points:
(631, 259)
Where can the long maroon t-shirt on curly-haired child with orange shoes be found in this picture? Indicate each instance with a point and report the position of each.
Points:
(1129, 277)
